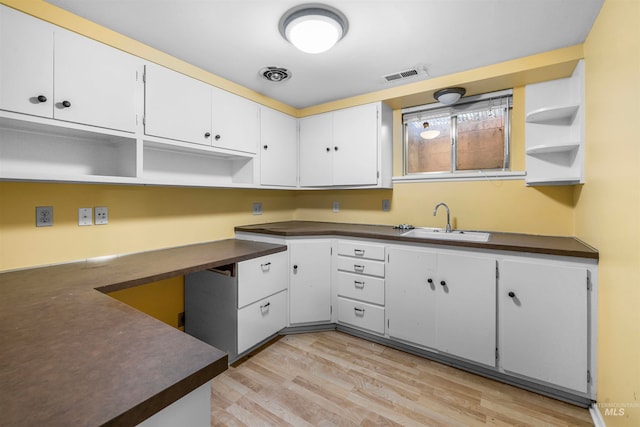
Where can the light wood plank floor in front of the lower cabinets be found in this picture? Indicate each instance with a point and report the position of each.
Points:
(331, 378)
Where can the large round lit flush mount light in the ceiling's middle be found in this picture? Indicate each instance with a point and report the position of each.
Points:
(313, 28)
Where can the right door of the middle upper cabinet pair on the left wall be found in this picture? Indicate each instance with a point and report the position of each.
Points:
(235, 123)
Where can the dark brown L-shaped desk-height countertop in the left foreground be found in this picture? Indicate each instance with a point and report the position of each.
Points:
(73, 356)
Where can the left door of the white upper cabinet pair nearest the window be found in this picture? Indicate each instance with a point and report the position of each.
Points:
(316, 150)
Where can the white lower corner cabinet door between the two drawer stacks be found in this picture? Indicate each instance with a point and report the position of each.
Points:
(309, 281)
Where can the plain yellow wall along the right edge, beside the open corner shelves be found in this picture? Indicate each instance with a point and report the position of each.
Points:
(607, 212)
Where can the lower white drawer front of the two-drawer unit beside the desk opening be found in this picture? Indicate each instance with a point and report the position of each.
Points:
(261, 319)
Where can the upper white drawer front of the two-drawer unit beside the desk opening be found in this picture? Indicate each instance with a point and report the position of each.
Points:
(260, 277)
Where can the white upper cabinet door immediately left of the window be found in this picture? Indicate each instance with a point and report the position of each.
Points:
(355, 145)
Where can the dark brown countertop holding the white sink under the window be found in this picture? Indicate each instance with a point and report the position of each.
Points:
(551, 245)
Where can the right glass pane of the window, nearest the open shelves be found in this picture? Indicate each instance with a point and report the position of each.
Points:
(480, 142)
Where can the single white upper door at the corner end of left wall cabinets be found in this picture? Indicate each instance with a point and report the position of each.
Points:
(278, 151)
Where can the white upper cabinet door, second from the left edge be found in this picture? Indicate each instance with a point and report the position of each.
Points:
(94, 83)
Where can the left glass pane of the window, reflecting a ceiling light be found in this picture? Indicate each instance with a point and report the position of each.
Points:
(431, 151)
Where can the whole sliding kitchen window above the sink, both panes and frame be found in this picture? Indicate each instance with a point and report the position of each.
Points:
(464, 140)
